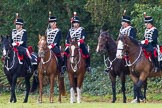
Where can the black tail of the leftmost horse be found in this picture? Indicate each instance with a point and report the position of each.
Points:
(35, 83)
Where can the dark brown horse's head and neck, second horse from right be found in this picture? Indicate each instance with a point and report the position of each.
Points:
(105, 43)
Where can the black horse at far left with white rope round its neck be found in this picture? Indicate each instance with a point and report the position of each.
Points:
(13, 69)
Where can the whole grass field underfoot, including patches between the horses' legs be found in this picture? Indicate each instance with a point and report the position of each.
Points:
(88, 102)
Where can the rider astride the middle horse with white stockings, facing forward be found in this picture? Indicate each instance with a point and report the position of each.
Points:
(77, 32)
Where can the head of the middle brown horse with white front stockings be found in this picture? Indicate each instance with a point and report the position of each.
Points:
(74, 50)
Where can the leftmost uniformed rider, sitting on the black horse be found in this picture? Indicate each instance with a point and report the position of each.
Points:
(19, 42)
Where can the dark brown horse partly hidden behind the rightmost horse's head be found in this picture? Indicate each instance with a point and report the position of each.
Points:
(107, 45)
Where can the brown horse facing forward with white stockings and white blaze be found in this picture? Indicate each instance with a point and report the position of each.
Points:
(76, 68)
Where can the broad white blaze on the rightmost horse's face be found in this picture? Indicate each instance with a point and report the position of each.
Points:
(119, 49)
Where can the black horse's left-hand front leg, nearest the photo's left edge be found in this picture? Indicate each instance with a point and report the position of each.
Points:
(13, 96)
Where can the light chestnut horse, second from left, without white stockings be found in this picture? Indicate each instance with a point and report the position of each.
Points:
(48, 66)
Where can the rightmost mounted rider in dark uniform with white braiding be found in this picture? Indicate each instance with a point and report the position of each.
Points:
(150, 40)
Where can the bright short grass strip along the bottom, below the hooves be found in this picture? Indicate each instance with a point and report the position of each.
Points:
(82, 105)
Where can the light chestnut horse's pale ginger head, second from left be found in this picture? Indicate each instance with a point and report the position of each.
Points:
(42, 46)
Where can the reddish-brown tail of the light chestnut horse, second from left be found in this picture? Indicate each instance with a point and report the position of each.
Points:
(62, 85)
